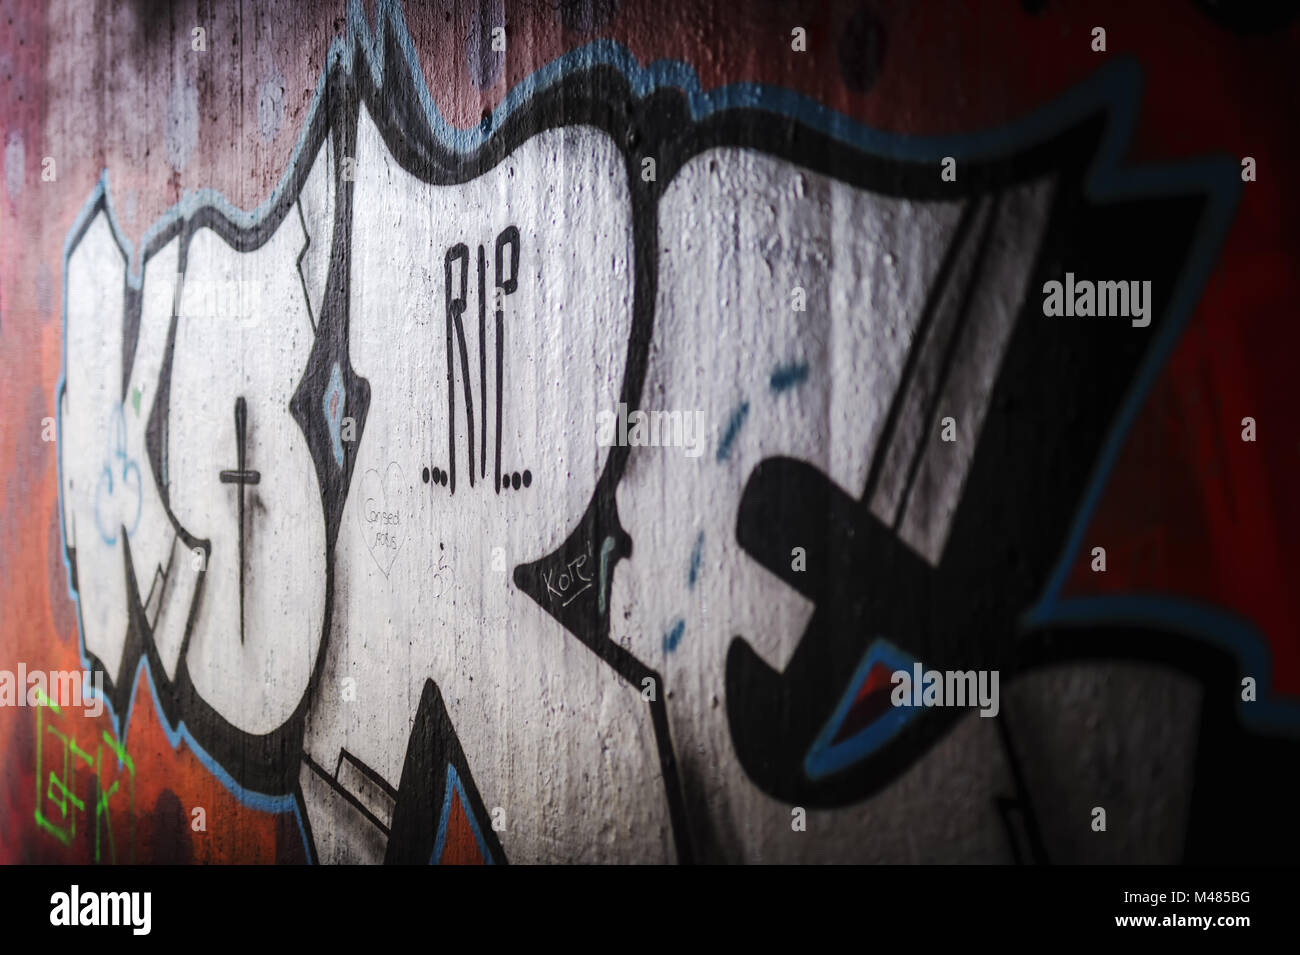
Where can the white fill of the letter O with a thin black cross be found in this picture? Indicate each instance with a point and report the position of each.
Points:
(255, 671)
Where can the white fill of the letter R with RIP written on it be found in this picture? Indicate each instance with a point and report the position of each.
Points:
(549, 732)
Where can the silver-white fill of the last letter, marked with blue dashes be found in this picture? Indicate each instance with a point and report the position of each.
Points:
(738, 233)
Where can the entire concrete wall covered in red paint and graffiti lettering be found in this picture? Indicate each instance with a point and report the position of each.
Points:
(479, 433)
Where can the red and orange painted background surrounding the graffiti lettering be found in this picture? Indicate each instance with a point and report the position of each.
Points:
(1190, 510)
